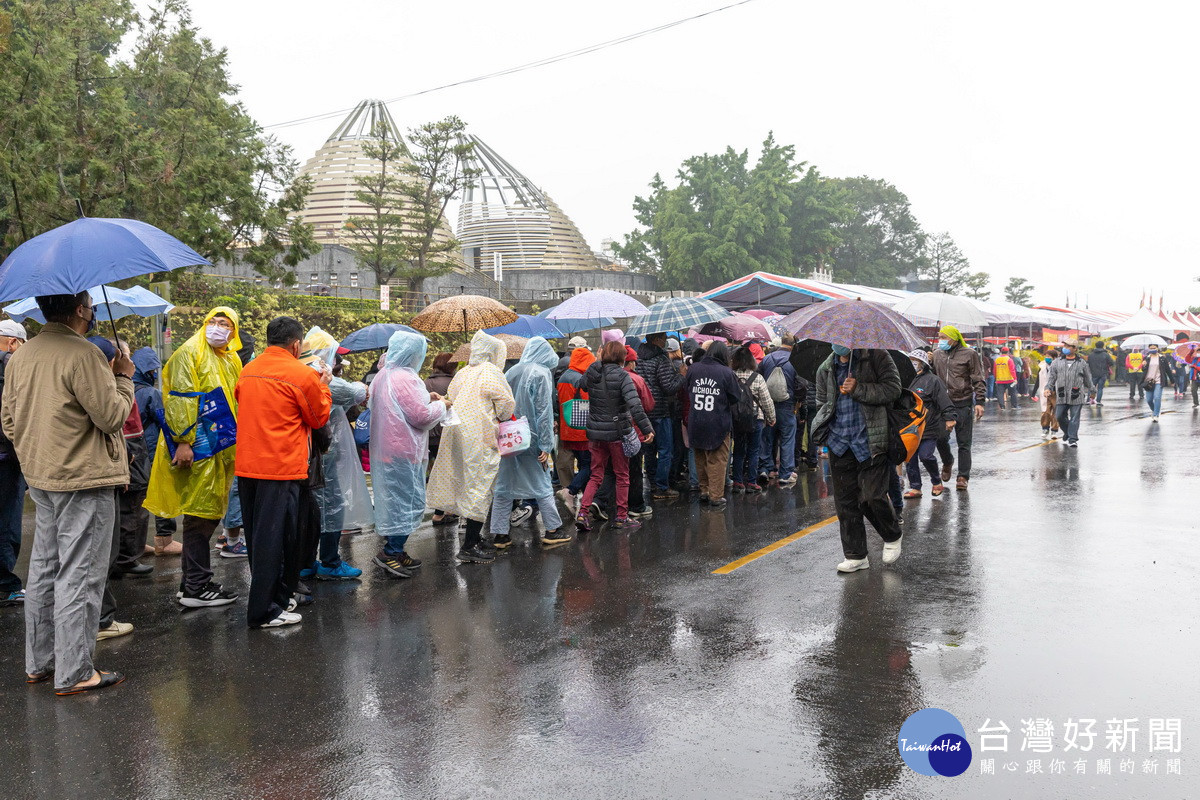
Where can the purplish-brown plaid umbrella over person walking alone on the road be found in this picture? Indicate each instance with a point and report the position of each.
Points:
(855, 324)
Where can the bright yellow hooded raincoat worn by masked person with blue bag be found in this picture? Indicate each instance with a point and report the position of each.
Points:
(202, 491)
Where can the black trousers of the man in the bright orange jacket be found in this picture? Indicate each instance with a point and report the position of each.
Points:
(271, 513)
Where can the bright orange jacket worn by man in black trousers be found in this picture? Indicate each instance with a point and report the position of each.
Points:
(279, 404)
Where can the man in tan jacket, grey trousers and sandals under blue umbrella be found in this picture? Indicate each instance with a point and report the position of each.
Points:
(64, 410)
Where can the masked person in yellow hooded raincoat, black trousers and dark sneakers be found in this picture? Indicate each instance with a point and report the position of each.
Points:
(197, 490)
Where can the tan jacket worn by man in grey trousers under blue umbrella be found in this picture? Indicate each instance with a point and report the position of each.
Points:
(64, 412)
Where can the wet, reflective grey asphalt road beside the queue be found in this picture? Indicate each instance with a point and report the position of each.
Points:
(617, 666)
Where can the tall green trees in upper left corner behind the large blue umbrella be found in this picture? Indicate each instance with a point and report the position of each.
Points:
(154, 136)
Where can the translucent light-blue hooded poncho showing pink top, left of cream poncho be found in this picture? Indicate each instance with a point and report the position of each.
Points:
(401, 419)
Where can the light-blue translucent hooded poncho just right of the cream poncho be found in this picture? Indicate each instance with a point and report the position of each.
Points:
(533, 389)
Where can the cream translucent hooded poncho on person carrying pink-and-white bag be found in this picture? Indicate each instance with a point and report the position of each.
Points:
(469, 461)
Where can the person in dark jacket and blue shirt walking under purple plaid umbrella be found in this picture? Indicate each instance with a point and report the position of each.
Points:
(854, 390)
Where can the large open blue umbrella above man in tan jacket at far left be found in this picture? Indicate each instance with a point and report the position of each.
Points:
(89, 252)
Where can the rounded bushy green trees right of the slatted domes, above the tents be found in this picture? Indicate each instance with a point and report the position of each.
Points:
(725, 219)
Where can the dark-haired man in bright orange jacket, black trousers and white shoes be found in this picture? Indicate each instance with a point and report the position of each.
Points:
(280, 402)
